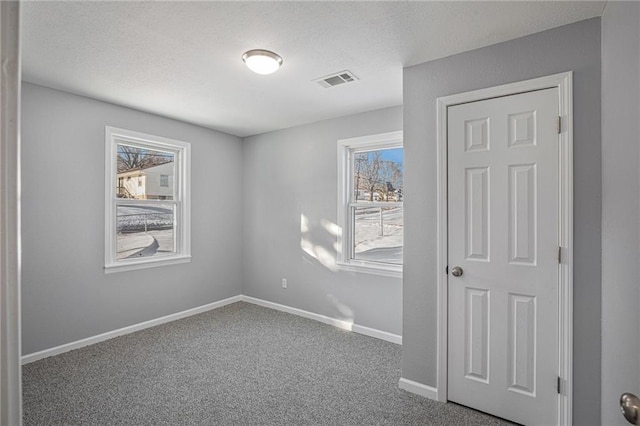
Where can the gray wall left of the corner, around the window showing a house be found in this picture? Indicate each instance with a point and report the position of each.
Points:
(66, 295)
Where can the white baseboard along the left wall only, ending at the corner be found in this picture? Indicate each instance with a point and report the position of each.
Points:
(126, 330)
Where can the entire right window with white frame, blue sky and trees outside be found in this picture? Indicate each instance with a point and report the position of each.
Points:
(370, 199)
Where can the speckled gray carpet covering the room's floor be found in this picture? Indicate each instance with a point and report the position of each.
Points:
(238, 365)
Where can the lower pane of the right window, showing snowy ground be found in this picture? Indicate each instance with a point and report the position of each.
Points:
(378, 234)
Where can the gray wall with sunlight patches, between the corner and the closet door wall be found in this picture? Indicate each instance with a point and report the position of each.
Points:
(293, 172)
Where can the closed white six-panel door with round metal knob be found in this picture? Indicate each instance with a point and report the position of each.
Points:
(503, 160)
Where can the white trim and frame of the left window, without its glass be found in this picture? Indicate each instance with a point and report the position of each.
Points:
(113, 136)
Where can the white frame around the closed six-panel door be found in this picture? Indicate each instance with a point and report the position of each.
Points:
(564, 82)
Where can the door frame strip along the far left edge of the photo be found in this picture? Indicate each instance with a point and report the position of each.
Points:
(10, 257)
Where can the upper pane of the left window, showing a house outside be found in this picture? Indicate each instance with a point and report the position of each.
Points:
(145, 174)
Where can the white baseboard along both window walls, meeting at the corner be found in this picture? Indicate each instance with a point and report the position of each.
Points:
(345, 325)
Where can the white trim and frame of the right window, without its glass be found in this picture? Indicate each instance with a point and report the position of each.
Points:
(346, 148)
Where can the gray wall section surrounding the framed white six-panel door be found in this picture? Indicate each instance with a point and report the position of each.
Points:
(573, 47)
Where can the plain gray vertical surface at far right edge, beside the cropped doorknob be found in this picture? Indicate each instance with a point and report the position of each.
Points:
(620, 206)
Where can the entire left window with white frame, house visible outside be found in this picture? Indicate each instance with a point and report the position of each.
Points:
(147, 218)
